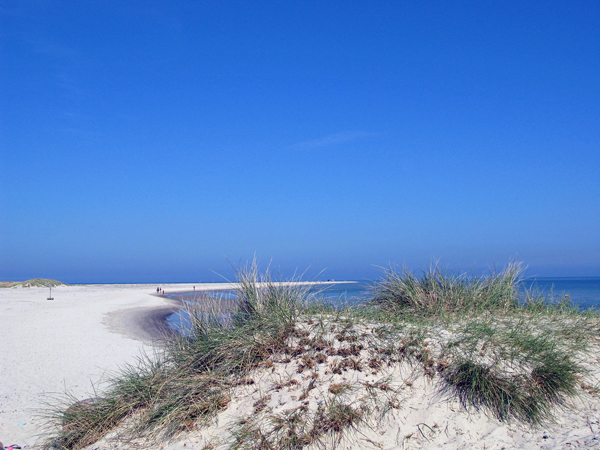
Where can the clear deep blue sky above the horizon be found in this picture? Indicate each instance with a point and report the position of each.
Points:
(166, 140)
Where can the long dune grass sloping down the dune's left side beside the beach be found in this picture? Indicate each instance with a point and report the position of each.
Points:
(193, 376)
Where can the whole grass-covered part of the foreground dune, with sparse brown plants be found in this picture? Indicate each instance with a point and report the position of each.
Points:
(312, 376)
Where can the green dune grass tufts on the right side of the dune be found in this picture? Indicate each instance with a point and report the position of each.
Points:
(509, 351)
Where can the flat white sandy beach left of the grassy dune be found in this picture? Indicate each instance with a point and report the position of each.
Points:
(68, 344)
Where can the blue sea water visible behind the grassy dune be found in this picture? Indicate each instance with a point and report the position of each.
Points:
(583, 292)
